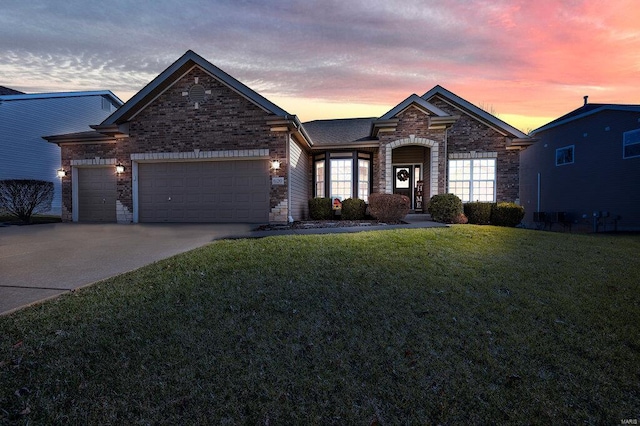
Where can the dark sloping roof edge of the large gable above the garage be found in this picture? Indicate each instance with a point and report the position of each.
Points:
(173, 73)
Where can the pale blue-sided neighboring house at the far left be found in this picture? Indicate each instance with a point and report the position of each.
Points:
(25, 118)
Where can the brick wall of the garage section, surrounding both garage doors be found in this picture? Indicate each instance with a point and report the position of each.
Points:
(224, 121)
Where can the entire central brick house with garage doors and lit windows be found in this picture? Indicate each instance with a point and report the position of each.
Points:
(196, 145)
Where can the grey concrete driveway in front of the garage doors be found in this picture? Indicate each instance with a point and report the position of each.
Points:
(38, 262)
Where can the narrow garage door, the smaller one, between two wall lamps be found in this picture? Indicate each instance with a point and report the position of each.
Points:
(97, 194)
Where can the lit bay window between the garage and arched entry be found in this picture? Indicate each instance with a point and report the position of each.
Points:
(343, 175)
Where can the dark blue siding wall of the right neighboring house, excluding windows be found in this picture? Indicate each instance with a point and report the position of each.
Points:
(598, 180)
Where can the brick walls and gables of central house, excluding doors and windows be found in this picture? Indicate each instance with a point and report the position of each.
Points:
(195, 112)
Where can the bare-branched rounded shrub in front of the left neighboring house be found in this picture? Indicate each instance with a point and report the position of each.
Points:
(23, 198)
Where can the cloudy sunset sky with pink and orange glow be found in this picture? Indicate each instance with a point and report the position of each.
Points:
(527, 61)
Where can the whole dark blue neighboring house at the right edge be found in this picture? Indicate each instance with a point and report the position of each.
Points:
(584, 169)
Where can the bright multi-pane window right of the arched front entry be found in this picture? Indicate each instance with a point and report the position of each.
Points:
(473, 180)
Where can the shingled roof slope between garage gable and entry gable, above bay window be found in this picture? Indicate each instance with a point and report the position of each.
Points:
(339, 131)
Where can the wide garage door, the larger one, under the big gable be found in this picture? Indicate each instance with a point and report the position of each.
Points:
(211, 191)
